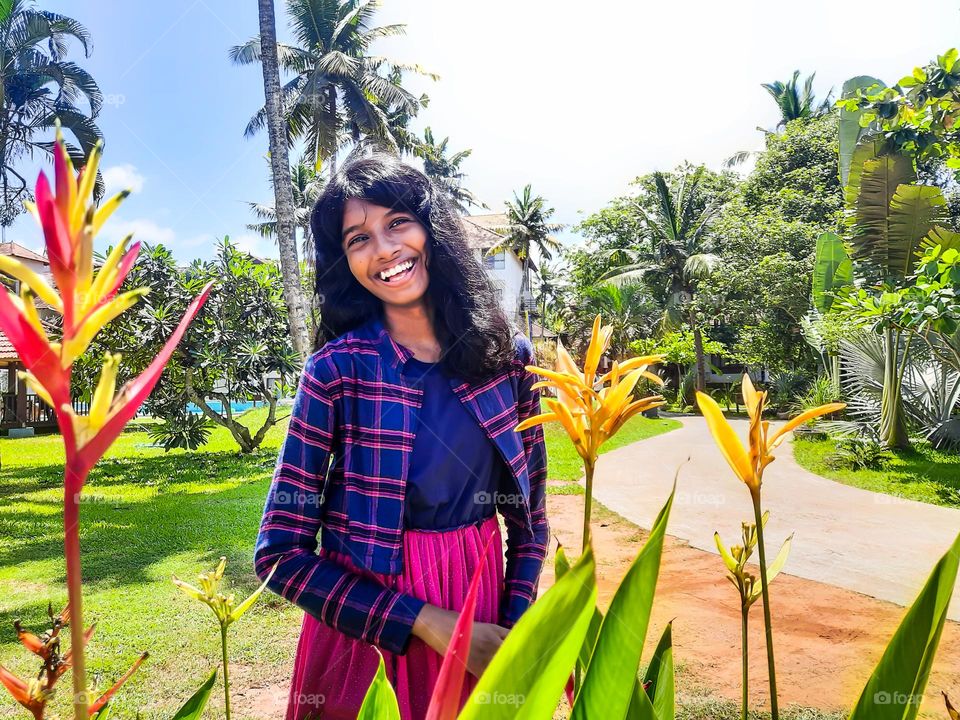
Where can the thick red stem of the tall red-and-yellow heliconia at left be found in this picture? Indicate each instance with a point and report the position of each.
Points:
(71, 549)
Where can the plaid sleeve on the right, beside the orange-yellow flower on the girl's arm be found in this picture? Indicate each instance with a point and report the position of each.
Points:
(526, 551)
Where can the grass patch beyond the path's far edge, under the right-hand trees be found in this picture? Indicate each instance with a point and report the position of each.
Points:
(922, 473)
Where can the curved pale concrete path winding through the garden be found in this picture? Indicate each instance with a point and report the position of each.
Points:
(874, 544)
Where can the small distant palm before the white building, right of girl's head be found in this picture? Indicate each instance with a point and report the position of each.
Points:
(527, 229)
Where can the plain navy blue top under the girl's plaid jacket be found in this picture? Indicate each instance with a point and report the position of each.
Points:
(455, 471)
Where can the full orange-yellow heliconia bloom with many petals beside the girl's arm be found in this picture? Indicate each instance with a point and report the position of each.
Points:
(591, 416)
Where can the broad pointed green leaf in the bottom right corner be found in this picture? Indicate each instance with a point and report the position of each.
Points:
(895, 688)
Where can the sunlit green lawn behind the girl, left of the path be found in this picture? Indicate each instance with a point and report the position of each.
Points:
(147, 515)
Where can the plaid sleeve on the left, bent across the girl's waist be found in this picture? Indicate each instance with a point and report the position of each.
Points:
(354, 604)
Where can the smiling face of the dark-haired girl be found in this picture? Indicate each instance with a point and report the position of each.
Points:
(377, 240)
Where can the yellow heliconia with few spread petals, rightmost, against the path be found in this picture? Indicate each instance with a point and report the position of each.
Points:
(749, 463)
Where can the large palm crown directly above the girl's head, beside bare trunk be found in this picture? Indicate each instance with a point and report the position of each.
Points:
(339, 93)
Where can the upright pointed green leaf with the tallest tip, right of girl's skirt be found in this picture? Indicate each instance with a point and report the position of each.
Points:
(607, 689)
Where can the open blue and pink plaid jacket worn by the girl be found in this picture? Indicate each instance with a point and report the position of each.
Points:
(354, 405)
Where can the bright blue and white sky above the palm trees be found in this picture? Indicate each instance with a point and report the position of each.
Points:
(577, 99)
